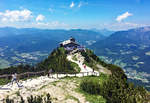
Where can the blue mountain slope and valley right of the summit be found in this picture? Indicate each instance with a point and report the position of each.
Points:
(129, 49)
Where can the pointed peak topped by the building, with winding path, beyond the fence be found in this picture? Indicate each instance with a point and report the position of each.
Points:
(72, 57)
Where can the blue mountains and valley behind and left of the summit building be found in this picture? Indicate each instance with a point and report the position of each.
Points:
(30, 44)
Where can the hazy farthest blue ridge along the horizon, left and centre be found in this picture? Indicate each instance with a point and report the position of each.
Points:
(58, 34)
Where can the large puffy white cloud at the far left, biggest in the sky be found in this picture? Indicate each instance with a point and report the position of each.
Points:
(15, 15)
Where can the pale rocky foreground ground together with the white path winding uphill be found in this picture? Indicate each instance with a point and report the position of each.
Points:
(61, 90)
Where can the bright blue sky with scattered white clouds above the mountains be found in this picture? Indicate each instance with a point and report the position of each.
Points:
(71, 14)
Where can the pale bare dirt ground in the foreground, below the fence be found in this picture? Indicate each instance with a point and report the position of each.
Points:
(60, 90)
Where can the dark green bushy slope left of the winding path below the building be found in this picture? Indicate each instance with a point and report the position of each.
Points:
(57, 61)
